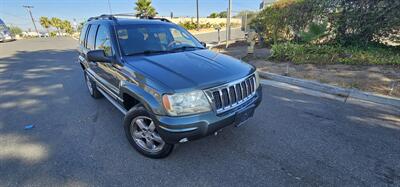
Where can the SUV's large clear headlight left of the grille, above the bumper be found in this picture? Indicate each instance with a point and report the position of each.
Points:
(180, 104)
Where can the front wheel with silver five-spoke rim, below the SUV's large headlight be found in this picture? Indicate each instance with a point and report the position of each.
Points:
(142, 134)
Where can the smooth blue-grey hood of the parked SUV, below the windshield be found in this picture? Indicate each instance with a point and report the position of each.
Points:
(197, 69)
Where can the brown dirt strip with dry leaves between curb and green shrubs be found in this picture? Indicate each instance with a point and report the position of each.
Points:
(377, 79)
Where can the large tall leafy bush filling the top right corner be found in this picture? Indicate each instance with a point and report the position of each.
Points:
(348, 22)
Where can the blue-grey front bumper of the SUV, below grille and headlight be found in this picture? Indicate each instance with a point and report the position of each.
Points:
(174, 129)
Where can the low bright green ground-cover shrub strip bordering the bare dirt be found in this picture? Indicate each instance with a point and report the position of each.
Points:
(330, 54)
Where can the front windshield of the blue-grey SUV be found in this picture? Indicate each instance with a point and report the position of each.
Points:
(156, 38)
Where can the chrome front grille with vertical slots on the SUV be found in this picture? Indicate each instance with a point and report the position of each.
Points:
(230, 95)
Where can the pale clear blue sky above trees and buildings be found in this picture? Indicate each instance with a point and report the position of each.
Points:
(11, 11)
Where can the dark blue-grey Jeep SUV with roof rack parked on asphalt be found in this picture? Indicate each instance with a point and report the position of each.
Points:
(170, 88)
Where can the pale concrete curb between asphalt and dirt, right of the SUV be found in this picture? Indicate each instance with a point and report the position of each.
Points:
(333, 90)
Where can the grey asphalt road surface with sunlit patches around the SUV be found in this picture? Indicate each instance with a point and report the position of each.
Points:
(293, 140)
